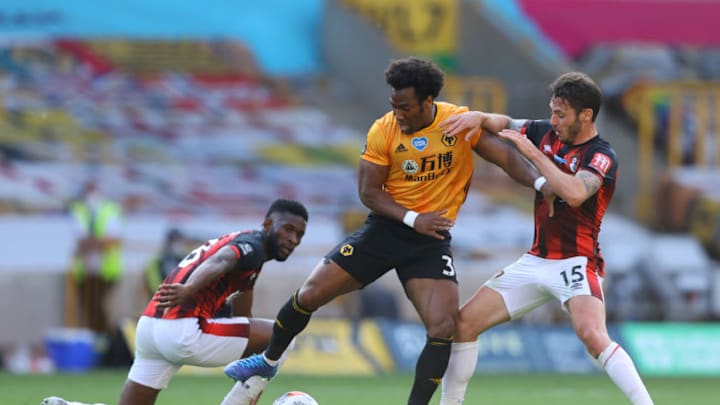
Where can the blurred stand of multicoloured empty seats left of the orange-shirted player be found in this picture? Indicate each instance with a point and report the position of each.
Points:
(169, 127)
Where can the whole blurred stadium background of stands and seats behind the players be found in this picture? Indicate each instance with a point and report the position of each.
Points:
(195, 116)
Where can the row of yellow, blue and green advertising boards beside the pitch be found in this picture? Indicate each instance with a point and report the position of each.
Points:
(370, 347)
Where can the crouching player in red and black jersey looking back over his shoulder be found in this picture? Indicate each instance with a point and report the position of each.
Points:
(177, 326)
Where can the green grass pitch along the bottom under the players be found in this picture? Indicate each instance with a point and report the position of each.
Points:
(105, 385)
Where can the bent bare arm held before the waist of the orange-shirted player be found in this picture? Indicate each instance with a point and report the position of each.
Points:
(371, 178)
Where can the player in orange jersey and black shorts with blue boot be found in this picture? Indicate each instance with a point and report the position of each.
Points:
(414, 179)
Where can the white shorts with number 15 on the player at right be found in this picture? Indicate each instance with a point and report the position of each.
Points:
(532, 281)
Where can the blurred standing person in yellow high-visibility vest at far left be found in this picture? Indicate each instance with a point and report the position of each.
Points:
(97, 261)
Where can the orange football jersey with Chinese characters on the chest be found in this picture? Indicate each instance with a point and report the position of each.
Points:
(428, 170)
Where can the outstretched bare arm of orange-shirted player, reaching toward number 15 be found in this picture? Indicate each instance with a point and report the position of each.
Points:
(504, 155)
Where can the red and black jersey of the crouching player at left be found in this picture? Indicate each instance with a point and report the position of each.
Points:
(250, 251)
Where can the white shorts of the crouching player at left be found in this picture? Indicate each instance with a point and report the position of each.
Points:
(162, 346)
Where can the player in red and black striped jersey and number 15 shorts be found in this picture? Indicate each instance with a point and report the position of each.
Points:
(564, 262)
